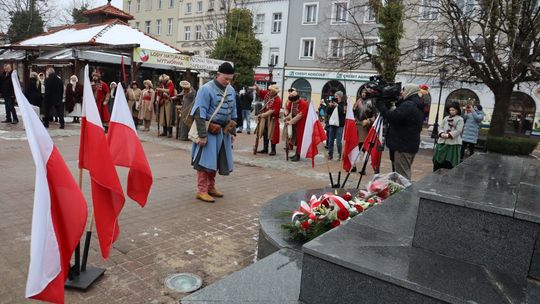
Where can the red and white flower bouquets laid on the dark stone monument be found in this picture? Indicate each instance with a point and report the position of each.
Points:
(330, 210)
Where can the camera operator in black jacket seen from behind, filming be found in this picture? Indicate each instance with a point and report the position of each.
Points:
(405, 124)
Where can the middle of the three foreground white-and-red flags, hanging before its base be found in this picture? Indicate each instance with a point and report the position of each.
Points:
(107, 195)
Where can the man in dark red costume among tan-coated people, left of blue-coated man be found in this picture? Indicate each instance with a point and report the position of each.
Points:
(165, 92)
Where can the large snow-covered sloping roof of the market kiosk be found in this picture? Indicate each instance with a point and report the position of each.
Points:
(111, 32)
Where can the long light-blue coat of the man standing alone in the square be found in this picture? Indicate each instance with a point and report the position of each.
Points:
(207, 100)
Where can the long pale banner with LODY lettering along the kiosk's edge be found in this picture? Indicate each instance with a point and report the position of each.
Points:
(177, 60)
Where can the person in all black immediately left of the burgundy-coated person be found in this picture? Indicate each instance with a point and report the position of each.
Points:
(54, 93)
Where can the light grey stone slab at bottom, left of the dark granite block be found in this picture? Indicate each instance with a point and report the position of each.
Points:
(274, 279)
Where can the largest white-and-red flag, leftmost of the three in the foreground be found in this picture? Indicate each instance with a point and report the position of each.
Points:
(59, 210)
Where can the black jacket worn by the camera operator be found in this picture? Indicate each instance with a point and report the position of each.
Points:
(405, 124)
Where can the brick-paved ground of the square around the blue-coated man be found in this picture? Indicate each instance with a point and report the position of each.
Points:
(174, 232)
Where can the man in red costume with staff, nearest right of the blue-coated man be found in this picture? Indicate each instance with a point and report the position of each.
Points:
(268, 119)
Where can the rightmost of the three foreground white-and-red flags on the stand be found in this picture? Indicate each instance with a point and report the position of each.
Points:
(127, 151)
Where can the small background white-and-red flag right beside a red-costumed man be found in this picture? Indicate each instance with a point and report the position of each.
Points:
(314, 134)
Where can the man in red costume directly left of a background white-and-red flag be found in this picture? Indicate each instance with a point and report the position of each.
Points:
(295, 116)
